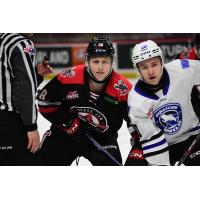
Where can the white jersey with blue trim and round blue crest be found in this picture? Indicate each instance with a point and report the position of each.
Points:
(166, 117)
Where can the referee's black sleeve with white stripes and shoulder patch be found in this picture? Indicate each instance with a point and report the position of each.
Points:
(23, 58)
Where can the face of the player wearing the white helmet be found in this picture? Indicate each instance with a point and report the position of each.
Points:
(151, 70)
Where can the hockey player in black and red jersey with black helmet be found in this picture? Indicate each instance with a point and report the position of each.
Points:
(86, 99)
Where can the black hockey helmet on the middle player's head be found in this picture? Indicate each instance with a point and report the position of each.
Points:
(100, 47)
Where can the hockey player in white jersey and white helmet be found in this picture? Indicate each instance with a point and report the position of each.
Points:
(160, 107)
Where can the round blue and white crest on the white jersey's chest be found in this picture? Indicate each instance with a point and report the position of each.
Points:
(169, 118)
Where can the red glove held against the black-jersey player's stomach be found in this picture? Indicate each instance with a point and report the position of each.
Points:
(72, 127)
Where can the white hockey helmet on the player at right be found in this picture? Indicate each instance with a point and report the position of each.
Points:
(145, 50)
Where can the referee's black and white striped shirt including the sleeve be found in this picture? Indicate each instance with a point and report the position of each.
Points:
(18, 78)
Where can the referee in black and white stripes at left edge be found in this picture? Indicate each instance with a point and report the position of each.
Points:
(19, 138)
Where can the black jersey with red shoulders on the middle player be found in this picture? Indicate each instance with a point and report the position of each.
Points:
(68, 95)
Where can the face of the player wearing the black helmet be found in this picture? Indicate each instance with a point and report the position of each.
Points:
(100, 67)
